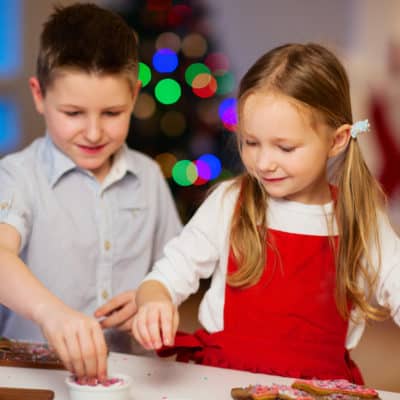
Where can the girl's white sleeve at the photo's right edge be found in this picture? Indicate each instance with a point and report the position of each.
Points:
(388, 290)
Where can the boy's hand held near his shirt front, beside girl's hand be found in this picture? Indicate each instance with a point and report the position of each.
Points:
(118, 312)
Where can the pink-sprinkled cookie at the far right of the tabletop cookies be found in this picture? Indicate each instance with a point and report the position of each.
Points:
(336, 386)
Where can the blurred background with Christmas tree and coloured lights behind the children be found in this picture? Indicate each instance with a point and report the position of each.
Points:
(192, 55)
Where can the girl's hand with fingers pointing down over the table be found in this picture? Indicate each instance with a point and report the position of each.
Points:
(155, 324)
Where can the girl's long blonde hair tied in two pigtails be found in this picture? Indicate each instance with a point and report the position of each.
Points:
(314, 77)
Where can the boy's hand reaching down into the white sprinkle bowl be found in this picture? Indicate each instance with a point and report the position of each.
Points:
(77, 339)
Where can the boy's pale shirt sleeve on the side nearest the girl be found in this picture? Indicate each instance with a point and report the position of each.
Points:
(169, 224)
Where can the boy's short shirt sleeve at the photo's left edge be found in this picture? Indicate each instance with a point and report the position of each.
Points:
(15, 208)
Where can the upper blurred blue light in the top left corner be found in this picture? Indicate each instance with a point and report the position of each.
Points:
(10, 38)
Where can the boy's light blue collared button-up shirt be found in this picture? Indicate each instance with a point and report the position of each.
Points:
(86, 241)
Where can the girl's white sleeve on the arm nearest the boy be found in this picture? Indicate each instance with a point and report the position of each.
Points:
(194, 254)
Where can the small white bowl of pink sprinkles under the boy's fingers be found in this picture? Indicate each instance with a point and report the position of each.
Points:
(116, 391)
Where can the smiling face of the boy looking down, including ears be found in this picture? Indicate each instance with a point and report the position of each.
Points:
(87, 116)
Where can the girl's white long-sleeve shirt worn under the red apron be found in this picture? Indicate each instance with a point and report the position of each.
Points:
(201, 251)
